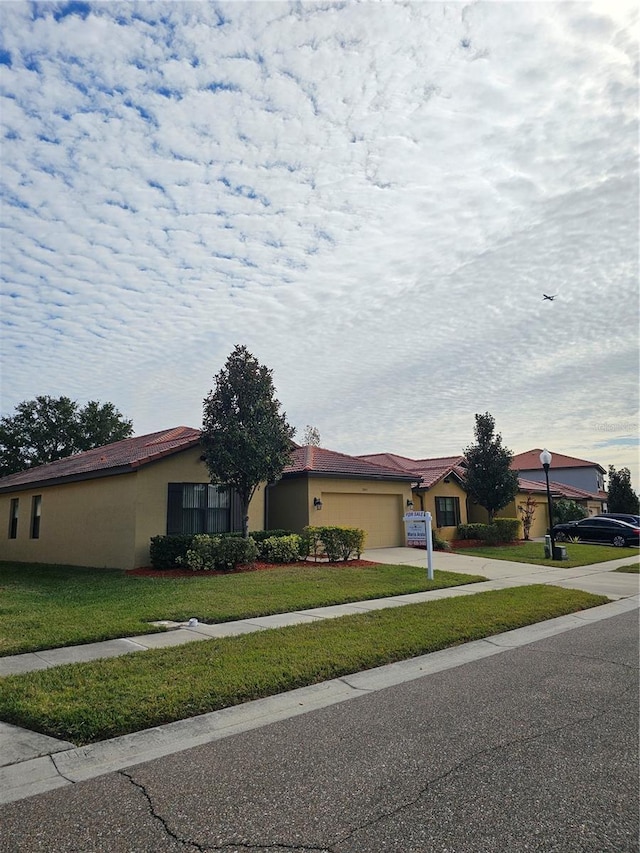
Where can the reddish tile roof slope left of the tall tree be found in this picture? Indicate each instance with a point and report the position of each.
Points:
(128, 454)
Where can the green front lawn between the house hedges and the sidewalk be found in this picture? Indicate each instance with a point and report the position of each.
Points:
(43, 606)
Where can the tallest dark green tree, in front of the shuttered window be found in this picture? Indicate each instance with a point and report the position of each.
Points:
(246, 439)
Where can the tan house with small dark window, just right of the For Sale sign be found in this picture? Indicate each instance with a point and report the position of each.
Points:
(440, 489)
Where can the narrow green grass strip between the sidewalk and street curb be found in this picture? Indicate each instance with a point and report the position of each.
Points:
(89, 702)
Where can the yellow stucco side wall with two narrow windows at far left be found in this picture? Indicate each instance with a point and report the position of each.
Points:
(88, 523)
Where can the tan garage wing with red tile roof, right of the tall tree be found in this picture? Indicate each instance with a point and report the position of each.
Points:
(321, 487)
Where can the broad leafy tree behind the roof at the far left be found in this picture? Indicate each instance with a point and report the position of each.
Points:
(50, 428)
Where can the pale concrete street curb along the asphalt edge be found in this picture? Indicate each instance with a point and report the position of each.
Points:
(69, 766)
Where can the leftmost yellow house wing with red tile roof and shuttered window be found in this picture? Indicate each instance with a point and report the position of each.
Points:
(101, 507)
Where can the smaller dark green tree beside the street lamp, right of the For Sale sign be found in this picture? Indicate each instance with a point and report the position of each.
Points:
(489, 479)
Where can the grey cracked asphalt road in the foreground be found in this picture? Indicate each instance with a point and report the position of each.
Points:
(533, 749)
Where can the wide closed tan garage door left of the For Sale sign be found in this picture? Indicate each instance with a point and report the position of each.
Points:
(380, 516)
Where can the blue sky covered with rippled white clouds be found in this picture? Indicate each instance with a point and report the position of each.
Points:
(372, 197)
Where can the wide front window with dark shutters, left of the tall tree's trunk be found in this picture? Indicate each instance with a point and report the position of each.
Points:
(202, 508)
